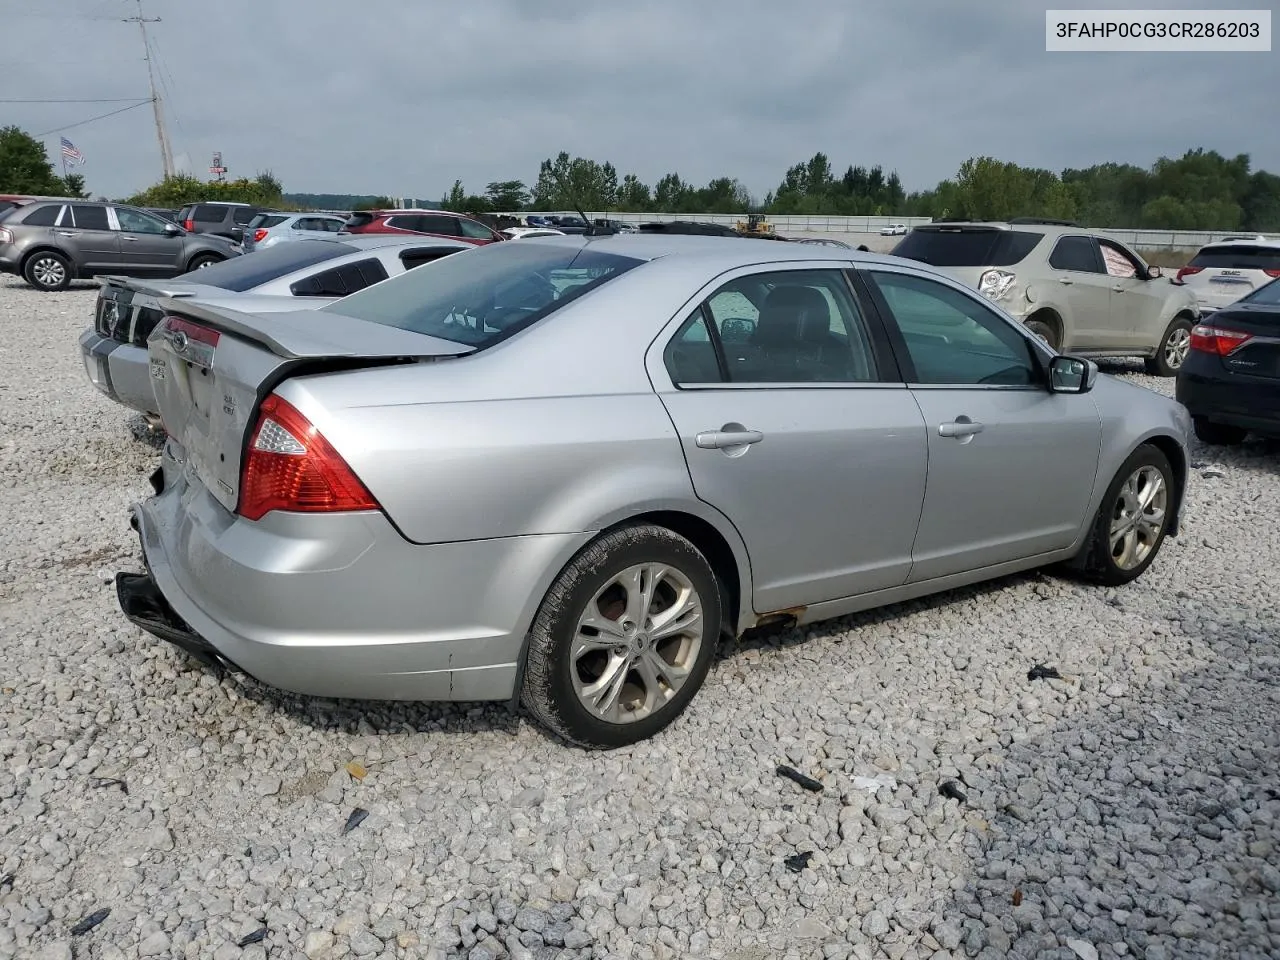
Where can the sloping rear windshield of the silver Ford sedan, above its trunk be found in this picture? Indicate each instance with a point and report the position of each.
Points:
(484, 295)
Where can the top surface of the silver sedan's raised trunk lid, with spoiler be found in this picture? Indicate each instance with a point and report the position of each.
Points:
(313, 335)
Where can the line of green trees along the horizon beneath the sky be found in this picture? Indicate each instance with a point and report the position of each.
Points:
(1203, 190)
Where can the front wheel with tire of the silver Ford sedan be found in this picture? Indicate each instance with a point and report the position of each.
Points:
(1132, 523)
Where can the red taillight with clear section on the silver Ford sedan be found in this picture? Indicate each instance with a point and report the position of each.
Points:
(290, 467)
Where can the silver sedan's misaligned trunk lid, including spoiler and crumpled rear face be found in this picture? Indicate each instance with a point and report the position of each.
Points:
(213, 367)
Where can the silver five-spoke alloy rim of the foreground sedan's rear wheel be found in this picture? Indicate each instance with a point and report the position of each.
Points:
(637, 643)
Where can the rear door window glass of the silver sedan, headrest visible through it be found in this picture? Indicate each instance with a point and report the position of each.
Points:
(790, 327)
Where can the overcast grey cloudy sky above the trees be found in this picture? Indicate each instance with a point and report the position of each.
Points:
(401, 98)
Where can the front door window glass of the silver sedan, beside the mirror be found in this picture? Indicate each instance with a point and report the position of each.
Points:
(954, 339)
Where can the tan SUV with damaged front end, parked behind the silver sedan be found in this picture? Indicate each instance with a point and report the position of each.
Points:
(1082, 292)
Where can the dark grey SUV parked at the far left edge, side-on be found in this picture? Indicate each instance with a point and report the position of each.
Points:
(52, 244)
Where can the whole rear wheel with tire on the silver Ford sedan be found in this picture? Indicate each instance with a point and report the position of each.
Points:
(624, 639)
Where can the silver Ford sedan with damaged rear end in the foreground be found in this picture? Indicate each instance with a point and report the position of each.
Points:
(559, 473)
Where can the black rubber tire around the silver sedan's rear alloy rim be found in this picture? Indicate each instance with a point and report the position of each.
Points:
(548, 691)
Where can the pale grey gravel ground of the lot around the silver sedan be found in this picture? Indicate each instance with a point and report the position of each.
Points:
(1130, 810)
